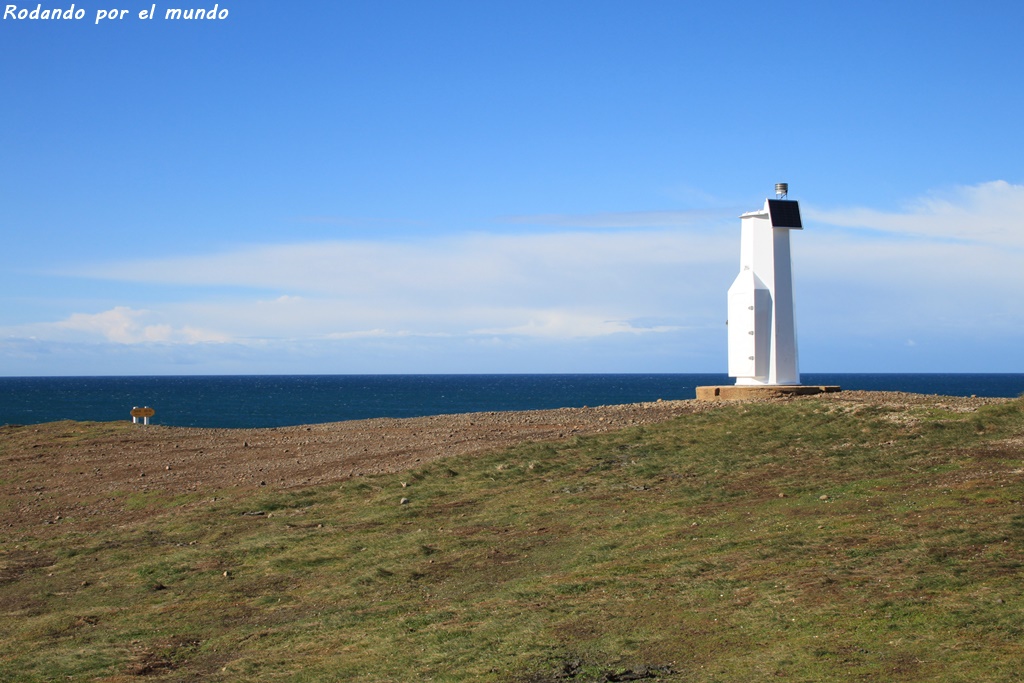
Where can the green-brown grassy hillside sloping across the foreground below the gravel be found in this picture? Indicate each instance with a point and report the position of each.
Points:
(803, 541)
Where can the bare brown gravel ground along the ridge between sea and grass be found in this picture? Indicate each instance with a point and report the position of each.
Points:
(53, 477)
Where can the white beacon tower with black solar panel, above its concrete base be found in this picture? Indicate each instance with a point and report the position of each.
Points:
(762, 325)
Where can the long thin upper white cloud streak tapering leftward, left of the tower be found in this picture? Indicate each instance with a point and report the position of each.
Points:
(480, 261)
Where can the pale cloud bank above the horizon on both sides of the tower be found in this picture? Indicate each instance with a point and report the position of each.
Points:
(948, 266)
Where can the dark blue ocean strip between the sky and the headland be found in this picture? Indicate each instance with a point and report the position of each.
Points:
(280, 401)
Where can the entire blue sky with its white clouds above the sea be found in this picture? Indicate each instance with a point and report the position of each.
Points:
(399, 187)
